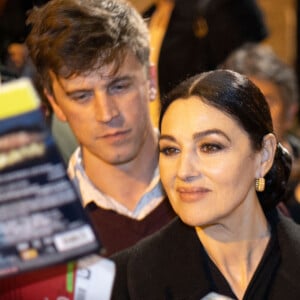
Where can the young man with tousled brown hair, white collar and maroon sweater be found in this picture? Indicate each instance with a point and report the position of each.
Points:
(97, 78)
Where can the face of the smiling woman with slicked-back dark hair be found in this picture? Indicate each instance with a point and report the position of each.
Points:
(207, 164)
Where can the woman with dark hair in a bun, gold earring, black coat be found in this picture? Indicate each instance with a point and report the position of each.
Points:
(224, 172)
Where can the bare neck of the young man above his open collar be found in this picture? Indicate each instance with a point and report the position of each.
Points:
(127, 182)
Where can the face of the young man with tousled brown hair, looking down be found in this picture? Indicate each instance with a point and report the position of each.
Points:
(108, 112)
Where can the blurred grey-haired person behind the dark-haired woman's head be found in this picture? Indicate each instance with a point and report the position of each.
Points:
(278, 83)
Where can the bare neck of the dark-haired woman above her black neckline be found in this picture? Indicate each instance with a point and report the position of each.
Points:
(236, 251)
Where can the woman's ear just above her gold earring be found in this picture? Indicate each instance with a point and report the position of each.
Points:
(267, 154)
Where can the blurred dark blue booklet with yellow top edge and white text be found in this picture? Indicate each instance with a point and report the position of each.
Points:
(42, 221)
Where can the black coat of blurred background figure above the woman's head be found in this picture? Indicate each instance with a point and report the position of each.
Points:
(201, 33)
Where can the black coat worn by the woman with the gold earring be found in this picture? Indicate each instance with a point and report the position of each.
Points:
(167, 265)
